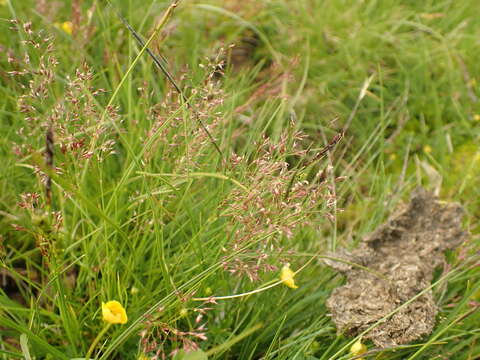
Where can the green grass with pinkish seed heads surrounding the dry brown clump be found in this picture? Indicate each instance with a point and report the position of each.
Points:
(188, 205)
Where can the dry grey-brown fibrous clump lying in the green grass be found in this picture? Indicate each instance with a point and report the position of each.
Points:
(396, 263)
